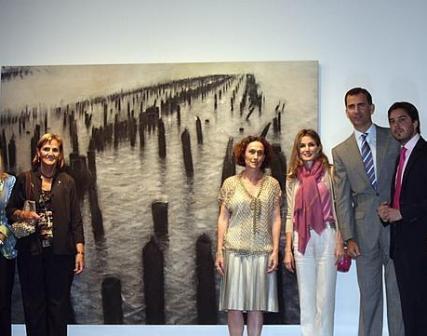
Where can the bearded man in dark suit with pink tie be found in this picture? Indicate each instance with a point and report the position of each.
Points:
(407, 216)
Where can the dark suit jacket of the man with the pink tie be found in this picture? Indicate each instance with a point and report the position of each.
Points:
(409, 235)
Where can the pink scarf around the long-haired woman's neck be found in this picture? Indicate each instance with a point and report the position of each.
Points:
(308, 208)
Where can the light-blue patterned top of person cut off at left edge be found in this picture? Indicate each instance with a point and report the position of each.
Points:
(7, 249)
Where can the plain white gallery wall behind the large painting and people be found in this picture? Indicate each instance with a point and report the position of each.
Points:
(379, 45)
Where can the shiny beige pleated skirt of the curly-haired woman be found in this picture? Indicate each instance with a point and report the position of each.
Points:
(246, 285)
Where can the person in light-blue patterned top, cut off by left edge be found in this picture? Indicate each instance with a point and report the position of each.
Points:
(7, 253)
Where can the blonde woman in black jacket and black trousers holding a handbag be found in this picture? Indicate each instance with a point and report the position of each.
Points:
(49, 257)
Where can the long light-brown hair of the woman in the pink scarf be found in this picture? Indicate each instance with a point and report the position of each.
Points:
(296, 162)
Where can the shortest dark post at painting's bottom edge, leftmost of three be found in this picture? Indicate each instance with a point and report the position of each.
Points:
(112, 300)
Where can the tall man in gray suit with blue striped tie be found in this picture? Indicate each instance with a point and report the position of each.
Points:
(364, 165)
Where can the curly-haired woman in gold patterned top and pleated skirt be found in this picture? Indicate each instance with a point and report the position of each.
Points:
(248, 238)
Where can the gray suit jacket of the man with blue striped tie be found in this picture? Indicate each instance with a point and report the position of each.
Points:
(356, 200)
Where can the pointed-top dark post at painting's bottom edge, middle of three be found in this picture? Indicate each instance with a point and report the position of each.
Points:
(154, 292)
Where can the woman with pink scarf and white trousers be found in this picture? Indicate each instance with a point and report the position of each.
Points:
(313, 240)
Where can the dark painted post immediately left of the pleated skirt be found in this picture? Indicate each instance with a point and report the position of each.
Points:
(207, 311)
